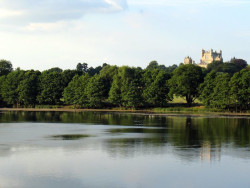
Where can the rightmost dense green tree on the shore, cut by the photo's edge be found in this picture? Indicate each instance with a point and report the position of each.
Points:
(240, 89)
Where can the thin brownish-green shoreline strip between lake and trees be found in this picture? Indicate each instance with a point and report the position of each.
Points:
(146, 112)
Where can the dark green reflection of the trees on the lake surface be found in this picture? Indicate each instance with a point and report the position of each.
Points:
(191, 137)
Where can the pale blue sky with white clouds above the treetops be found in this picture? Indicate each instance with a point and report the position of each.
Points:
(43, 34)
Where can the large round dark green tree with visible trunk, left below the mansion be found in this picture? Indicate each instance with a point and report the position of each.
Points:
(185, 82)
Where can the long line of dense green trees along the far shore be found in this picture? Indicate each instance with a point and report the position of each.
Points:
(221, 86)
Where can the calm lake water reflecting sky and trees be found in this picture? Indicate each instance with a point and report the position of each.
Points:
(93, 149)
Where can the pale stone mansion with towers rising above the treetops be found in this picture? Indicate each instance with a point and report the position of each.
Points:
(207, 57)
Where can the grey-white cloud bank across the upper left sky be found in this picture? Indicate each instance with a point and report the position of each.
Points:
(31, 11)
